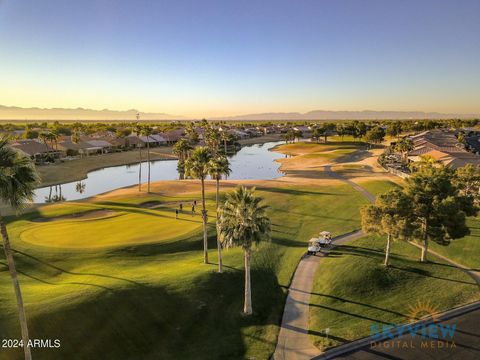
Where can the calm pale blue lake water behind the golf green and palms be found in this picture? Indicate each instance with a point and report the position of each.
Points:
(251, 162)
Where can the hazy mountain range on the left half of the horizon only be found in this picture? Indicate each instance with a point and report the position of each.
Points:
(19, 113)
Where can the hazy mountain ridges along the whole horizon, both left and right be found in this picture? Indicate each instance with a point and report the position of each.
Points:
(41, 114)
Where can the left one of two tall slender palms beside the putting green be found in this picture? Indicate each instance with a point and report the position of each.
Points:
(197, 166)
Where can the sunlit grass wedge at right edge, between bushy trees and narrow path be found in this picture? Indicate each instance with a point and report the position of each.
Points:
(466, 250)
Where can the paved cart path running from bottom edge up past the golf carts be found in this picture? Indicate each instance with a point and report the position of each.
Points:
(293, 340)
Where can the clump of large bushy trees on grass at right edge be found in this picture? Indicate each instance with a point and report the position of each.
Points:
(433, 206)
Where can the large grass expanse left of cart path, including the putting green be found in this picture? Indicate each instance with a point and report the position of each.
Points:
(113, 299)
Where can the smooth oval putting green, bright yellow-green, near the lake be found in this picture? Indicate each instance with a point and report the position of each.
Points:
(124, 228)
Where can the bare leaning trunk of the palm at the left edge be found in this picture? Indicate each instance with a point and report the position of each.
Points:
(16, 286)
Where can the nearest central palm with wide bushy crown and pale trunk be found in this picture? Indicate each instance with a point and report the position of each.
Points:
(243, 222)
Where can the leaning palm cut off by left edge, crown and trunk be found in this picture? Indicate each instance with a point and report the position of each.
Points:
(18, 179)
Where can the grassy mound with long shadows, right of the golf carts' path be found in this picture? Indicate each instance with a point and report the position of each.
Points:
(353, 289)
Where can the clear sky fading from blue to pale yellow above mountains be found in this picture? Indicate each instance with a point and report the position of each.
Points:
(208, 58)
